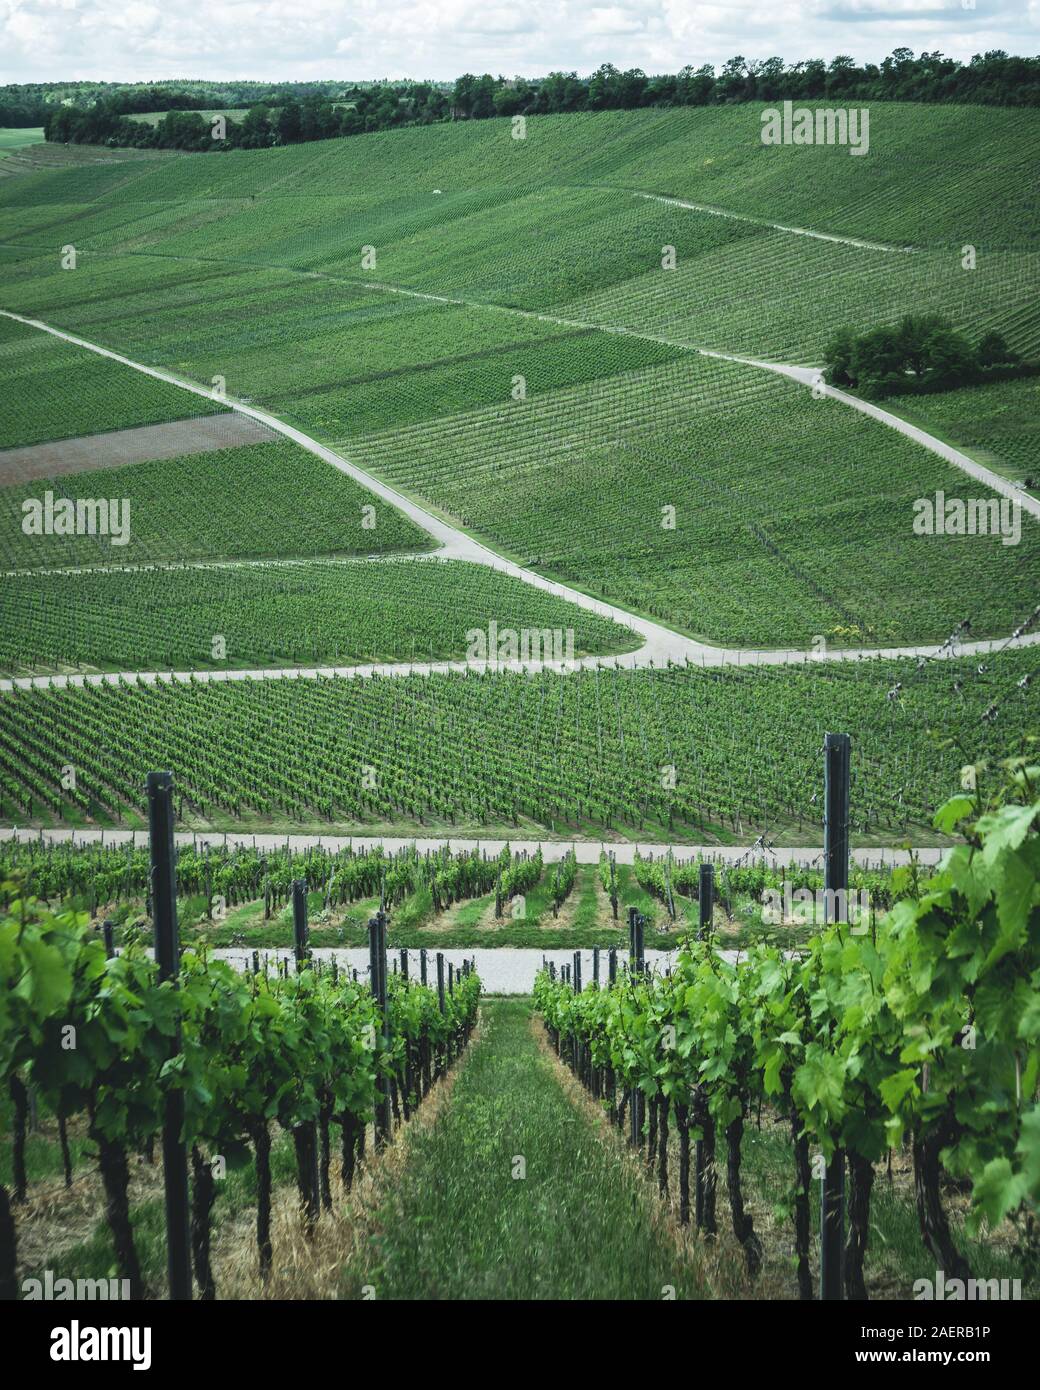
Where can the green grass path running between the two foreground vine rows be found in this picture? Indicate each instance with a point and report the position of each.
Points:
(458, 1225)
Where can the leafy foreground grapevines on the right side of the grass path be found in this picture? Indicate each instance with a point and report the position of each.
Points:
(917, 1035)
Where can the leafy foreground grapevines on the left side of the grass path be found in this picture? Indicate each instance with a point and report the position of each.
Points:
(251, 1063)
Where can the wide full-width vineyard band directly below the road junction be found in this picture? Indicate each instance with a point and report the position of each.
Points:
(590, 753)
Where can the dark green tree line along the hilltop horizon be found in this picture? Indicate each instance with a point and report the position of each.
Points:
(290, 115)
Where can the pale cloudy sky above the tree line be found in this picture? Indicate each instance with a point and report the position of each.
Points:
(298, 40)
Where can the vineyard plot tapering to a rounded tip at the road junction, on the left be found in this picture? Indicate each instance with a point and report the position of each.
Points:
(284, 615)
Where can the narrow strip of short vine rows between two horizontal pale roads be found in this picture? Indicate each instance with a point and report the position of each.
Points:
(240, 896)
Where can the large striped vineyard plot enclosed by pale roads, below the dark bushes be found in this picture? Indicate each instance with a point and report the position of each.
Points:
(772, 500)
